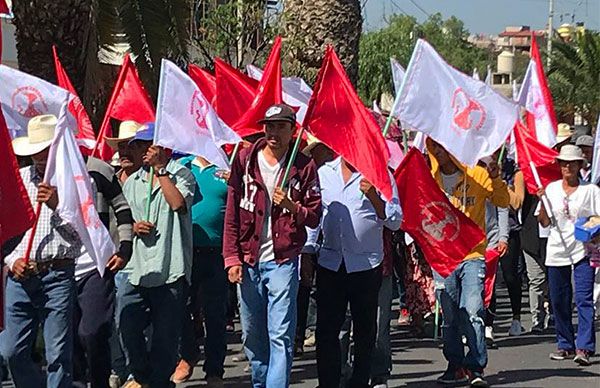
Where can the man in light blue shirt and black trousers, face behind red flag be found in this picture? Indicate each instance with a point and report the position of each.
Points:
(349, 266)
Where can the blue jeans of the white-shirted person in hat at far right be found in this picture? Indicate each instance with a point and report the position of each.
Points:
(561, 296)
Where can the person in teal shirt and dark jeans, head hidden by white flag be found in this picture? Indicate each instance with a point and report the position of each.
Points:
(209, 278)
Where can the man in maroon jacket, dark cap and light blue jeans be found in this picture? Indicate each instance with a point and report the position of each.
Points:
(263, 236)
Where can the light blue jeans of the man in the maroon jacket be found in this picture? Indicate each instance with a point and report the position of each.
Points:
(268, 313)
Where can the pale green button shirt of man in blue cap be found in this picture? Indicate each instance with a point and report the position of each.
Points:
(165, 255)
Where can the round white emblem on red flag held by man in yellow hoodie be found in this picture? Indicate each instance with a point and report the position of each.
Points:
(440, 229)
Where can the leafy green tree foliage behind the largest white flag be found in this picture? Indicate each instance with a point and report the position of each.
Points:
(449, 37)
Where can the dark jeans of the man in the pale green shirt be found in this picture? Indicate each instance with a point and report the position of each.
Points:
(163, 307)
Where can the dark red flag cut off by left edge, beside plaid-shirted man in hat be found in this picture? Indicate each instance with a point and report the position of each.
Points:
(16, 213)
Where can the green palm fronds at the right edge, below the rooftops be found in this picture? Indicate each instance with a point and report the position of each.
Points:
(575, 77)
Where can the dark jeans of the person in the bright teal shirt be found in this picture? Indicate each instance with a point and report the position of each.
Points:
(208, 291)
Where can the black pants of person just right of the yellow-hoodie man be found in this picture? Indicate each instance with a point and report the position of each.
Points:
(509, 265)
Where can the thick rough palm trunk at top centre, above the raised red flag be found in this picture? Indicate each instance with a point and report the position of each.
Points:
(312, 24)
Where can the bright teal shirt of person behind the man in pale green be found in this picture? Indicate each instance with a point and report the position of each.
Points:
(208, 209)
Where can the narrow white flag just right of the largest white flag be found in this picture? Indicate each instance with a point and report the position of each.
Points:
(532, 98)
